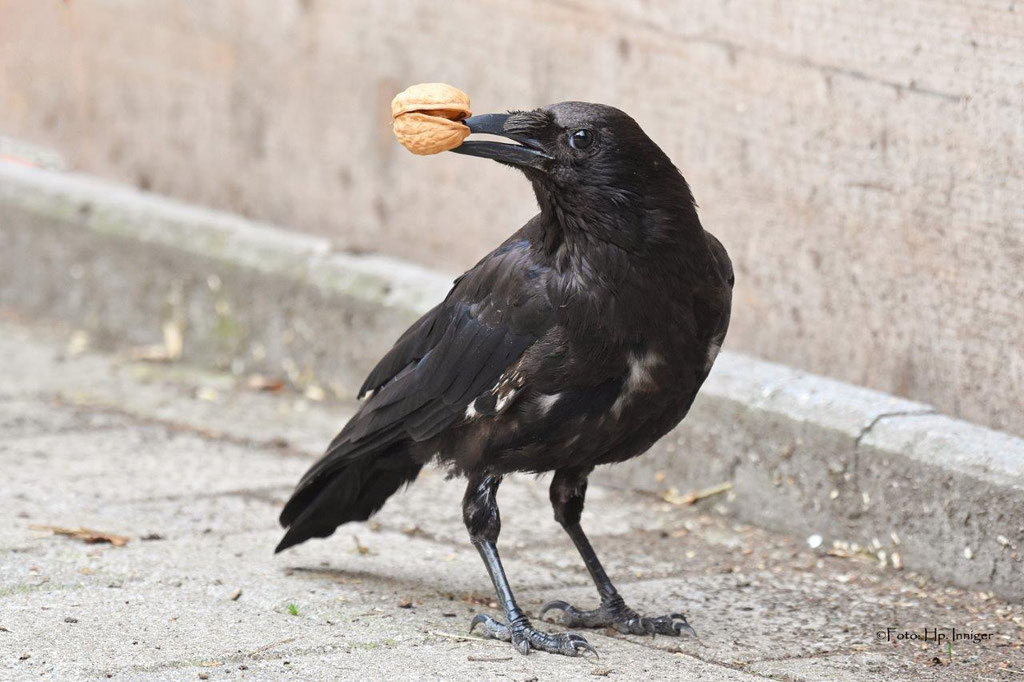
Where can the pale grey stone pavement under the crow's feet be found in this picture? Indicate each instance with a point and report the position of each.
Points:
(193, 468)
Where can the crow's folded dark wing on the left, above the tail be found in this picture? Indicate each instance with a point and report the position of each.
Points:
(451, 356)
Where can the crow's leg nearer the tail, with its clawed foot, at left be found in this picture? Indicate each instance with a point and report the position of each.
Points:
(480, 510)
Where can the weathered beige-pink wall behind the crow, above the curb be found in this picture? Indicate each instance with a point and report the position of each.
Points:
(863, 161)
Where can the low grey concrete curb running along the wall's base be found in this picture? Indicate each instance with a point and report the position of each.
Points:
(871, 474)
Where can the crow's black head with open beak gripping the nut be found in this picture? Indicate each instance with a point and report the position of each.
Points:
(582, 158)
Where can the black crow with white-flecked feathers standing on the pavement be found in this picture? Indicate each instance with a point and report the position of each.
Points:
(580, 342)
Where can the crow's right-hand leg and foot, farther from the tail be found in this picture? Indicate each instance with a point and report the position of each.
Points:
(568, 492)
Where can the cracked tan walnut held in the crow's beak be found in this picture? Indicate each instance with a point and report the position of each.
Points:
(429, 118)
